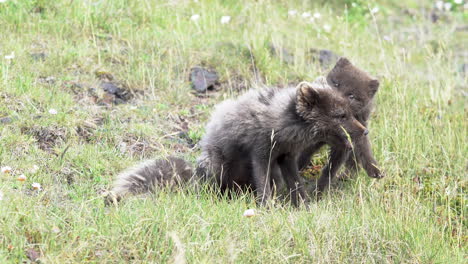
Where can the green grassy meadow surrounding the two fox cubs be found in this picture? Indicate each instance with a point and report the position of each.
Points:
(419, 130)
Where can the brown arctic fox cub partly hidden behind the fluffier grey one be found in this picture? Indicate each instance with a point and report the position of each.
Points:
(359, 89)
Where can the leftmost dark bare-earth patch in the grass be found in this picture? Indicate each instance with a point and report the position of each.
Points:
(46, 137)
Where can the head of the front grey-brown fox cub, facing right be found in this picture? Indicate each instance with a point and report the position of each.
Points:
(330, 114)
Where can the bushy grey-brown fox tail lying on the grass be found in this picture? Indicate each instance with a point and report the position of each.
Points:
(145, 176)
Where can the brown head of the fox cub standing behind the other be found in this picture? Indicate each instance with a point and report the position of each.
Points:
(353, 83)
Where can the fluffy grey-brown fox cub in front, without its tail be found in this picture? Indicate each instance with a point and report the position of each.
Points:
(260, 135)
